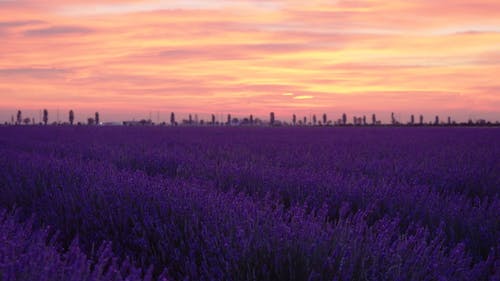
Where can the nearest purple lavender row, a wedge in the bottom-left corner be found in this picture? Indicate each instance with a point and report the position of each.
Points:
(30, 254)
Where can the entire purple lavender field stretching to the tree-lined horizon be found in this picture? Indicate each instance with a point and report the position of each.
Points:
(161, 203)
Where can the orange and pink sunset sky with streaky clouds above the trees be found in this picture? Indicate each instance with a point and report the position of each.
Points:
(126, 59)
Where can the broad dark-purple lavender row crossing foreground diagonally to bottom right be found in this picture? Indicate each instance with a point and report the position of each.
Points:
(201, 233)
